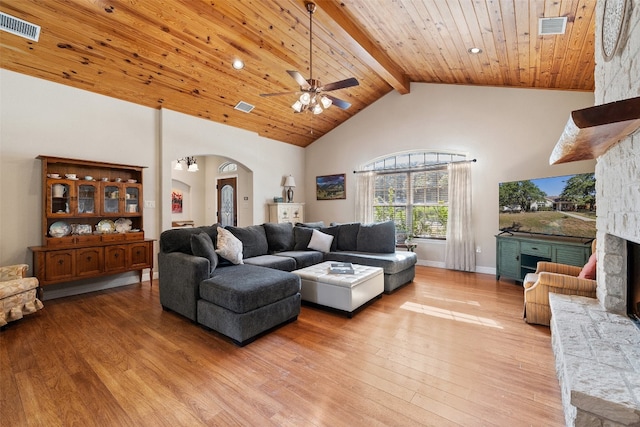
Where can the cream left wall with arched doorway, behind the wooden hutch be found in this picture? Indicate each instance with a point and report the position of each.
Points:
(40, 117)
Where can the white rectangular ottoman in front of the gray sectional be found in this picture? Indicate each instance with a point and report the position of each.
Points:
(345, 292)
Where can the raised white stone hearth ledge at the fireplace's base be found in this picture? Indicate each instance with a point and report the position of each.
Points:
(597, 362)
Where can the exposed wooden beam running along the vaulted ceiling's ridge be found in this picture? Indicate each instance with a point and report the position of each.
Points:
(365, 47)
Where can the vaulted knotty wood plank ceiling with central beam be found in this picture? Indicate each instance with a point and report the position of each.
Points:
(177, 54)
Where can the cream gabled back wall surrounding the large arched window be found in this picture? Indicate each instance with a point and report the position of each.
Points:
(511, 132)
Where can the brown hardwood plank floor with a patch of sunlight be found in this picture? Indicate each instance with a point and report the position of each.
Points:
(449, 349)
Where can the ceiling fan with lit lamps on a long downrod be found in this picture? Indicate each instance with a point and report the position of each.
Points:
(314, 97)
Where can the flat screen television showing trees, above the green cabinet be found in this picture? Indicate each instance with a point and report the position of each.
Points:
(554, 206)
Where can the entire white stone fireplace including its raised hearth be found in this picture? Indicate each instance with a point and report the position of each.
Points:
(596, 345)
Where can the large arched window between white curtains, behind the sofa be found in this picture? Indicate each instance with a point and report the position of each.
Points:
(412, 190)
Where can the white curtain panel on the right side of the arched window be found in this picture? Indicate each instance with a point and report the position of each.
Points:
(460, 252)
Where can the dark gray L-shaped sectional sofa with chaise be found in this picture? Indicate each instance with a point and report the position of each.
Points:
(256, 291)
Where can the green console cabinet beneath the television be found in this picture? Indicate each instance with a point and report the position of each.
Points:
(518, 254)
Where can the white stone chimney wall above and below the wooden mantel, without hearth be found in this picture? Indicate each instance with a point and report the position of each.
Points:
(618, 170)
